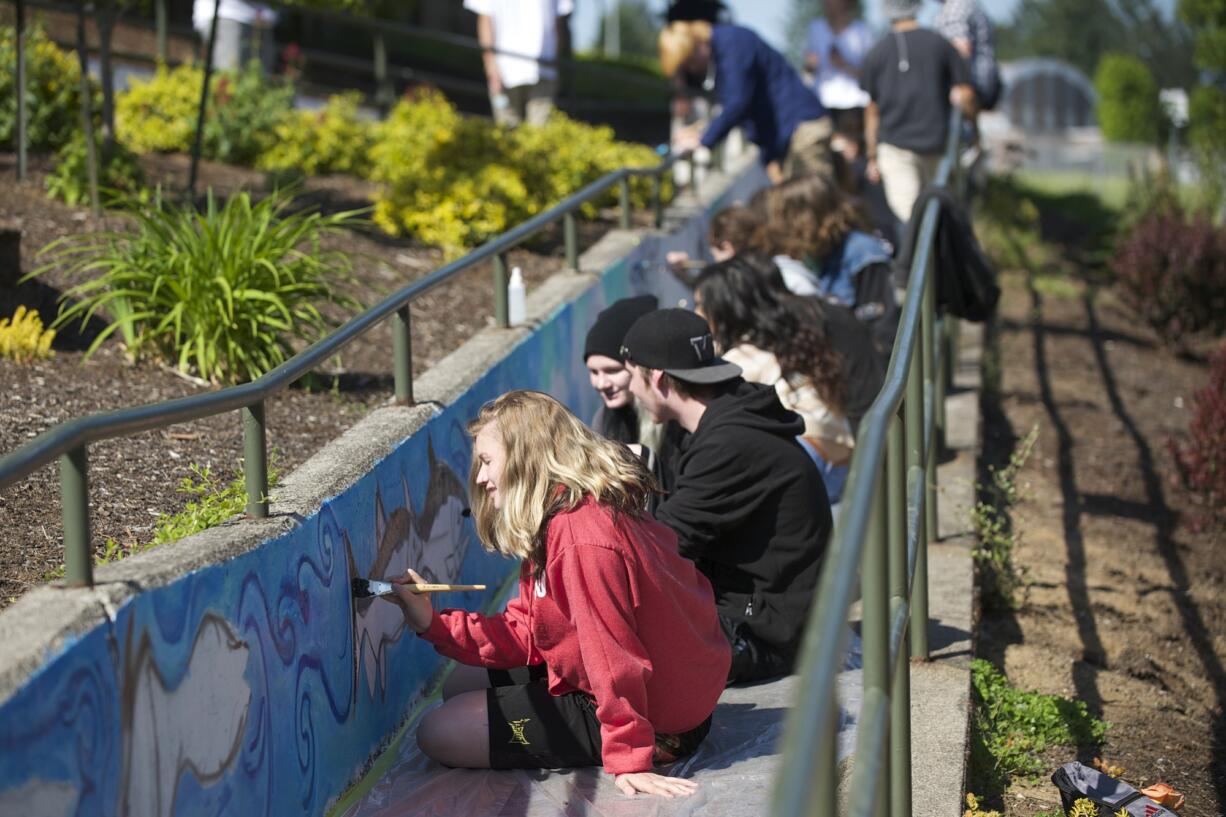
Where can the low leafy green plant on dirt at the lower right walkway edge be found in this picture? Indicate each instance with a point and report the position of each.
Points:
(1015, 727)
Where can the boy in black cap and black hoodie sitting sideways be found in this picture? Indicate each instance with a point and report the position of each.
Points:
(748, 505)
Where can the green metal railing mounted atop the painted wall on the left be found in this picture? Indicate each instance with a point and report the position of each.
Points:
(69, 441)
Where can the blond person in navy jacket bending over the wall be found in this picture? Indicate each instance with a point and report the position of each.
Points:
(758, 91)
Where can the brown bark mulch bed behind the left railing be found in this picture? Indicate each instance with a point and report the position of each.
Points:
(132, 481)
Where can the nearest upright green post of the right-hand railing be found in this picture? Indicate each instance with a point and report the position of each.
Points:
(875, 625)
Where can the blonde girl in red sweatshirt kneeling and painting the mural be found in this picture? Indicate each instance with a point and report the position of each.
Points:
(612, 653)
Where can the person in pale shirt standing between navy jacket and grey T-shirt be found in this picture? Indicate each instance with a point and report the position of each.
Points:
(836, 51)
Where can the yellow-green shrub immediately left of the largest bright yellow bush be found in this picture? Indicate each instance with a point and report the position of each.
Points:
(333, 140)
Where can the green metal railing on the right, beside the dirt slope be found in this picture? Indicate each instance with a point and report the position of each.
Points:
(882, 535)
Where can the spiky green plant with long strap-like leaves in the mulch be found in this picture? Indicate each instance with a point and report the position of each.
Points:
(225, 294)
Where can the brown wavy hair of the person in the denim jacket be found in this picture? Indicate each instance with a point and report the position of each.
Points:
(809, 219)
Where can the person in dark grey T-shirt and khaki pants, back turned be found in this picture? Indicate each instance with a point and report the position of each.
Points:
(912, 75)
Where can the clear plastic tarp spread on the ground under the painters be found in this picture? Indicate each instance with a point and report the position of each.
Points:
(735, 770)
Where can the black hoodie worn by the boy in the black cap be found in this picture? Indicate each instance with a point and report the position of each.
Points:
(750, 507)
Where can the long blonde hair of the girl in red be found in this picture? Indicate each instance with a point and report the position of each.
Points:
(552, 462)
